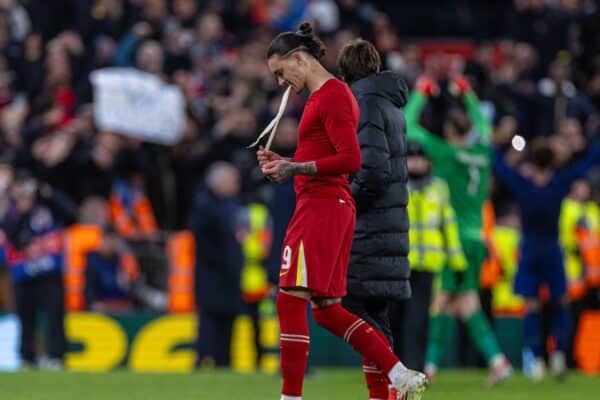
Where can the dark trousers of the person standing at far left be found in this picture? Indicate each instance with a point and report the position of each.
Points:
(43, 295)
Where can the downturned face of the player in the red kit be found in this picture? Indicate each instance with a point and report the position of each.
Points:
(291, 70)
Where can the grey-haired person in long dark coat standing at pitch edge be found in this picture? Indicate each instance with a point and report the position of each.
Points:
(219, 261)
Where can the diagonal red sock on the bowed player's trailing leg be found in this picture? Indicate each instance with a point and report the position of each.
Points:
(360, 335)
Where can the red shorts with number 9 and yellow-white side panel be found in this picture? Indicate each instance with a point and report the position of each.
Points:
(317, 244)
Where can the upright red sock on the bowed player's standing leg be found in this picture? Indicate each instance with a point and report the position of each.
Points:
(294, 342)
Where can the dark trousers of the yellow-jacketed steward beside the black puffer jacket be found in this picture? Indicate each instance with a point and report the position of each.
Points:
(410, 321)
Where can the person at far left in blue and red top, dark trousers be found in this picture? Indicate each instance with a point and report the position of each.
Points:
(33, 249)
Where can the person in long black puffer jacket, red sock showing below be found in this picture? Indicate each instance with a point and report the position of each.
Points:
(379, 270)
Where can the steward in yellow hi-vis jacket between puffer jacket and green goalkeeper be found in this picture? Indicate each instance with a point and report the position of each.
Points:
(434, 245)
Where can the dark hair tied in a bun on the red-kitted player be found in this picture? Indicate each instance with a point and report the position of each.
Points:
(303, 39)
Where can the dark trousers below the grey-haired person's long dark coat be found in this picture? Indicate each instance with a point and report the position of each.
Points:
(213, 346)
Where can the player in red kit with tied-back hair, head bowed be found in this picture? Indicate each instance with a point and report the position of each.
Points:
(319, 237)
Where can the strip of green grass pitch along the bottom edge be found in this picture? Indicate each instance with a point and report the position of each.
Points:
(325, 384)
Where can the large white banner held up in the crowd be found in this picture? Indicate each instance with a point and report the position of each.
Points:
(138, 104)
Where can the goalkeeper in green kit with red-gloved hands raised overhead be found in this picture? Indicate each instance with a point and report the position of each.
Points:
(462, 159)
